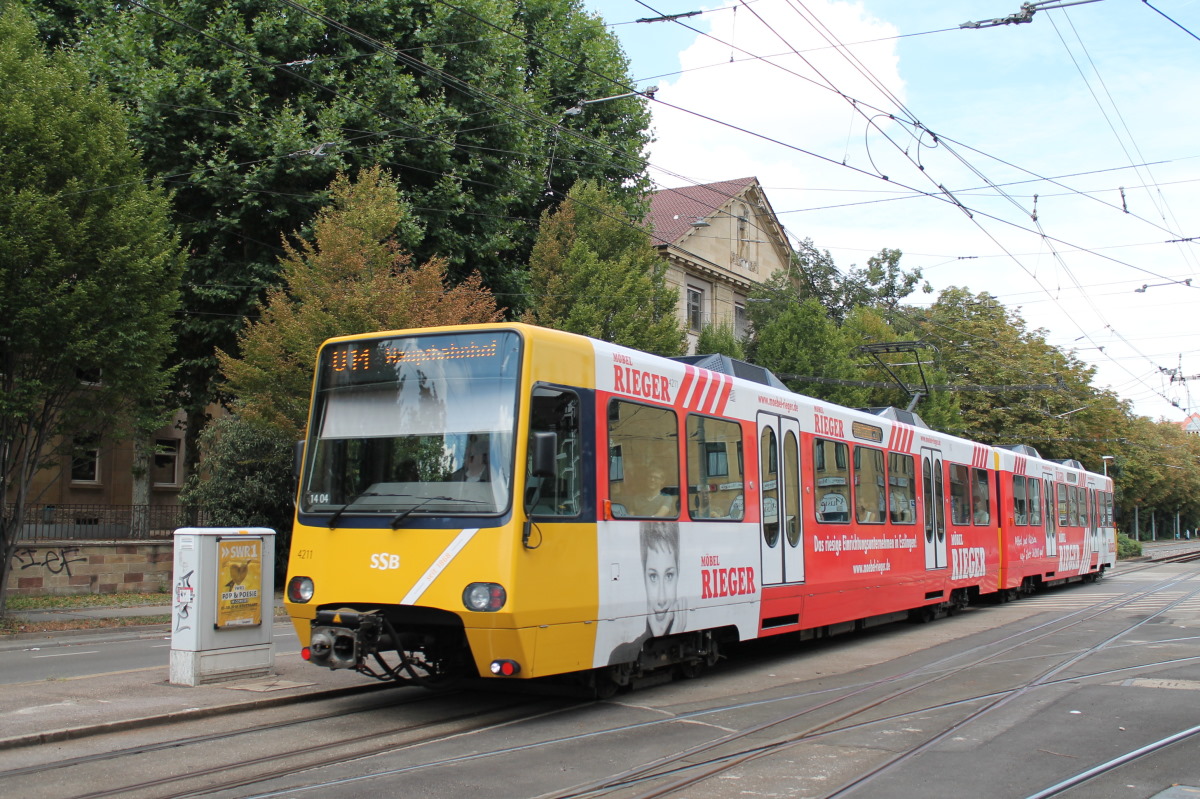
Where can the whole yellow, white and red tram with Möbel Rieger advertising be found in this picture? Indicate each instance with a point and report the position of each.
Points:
(514, 502)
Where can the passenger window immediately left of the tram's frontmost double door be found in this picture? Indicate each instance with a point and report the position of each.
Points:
(716, 483)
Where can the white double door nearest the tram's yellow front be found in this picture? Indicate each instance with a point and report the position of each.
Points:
(779, 480)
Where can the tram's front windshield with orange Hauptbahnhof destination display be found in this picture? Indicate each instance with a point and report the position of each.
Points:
(415, 425)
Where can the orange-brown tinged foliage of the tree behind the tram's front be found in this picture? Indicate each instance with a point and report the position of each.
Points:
(353, 277)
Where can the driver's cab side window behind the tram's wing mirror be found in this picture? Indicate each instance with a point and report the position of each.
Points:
(554, 411)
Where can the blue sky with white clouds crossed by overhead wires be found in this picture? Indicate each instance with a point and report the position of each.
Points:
(1053, 164)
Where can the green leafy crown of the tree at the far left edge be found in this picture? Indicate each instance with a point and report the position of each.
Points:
(88, 263)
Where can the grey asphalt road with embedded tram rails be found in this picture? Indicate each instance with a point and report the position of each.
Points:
(1000, 702)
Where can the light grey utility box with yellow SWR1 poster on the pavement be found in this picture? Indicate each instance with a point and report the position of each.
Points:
(224, 604)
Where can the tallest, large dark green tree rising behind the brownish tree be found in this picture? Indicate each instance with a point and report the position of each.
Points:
(250, 109)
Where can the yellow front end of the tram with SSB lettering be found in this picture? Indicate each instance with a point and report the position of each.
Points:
(413, 556)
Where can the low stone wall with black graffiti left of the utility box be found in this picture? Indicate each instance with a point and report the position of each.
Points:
(92, 568)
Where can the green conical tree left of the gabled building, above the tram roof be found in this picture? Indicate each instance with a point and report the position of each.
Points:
(595, 272)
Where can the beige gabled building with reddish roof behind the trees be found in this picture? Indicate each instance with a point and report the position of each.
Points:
(719, 241)
